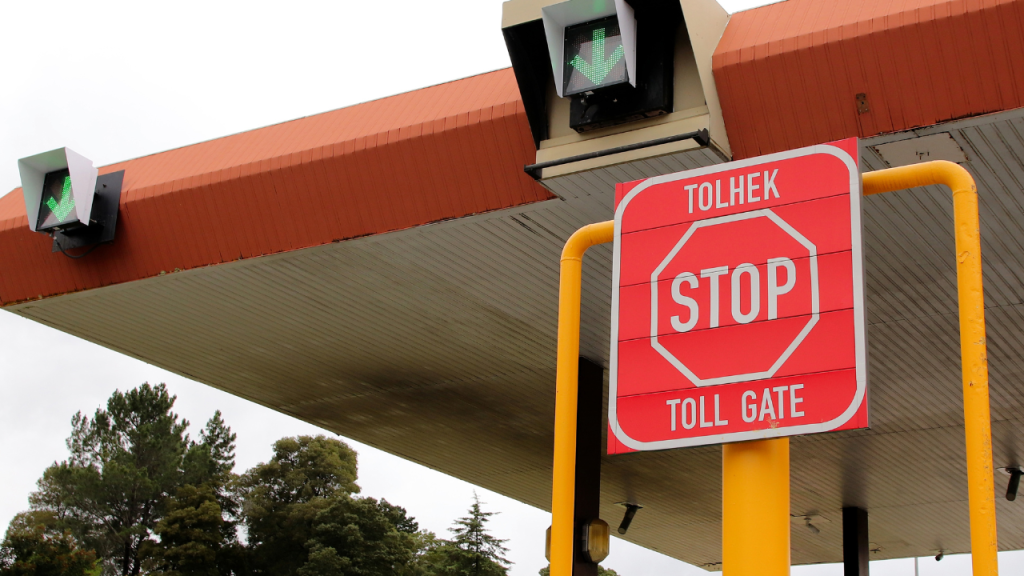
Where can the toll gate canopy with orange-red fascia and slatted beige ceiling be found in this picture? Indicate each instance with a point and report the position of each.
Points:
(390, 272)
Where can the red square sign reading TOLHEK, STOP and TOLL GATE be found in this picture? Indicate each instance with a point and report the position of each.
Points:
(738, 303)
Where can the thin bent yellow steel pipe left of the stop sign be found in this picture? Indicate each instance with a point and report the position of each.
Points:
(564, 478)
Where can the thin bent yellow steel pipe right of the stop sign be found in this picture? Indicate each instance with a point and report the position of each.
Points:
(977, 420)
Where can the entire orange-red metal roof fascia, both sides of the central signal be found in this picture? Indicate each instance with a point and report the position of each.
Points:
(788, 75)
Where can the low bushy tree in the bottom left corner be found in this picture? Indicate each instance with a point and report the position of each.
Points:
(34, 548)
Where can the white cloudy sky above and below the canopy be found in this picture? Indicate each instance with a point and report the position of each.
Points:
(118, 80)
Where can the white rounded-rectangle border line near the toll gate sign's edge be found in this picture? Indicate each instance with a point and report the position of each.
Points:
(860, 320)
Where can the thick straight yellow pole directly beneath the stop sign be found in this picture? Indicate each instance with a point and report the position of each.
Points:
(756, 508)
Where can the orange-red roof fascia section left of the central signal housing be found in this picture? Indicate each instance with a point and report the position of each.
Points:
(440, 153)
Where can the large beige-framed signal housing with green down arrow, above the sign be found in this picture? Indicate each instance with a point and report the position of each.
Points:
(608, 83)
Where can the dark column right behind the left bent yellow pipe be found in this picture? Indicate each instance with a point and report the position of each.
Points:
(588, 477)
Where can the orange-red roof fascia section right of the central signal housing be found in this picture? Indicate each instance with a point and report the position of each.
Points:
(789, 74)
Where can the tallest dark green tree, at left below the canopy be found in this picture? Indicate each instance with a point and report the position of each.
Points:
(134, 469)
